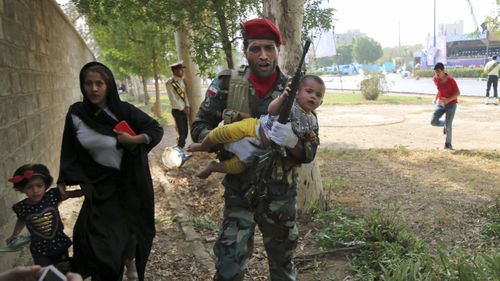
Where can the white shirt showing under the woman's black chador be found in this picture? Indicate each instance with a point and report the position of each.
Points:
(101, 147)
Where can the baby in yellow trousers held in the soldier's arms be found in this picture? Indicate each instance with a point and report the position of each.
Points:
(304, 124)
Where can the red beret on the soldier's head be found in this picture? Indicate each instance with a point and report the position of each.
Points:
(261, 29)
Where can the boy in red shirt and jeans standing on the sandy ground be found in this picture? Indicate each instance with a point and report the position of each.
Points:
(446, 102)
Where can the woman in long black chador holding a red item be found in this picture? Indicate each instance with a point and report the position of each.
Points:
(111, 166)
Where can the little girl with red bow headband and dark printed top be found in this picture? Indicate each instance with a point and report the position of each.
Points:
(49, 244)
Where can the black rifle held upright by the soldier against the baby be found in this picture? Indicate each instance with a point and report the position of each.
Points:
(261, 167)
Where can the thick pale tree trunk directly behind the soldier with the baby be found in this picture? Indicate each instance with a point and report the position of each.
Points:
(288, 15)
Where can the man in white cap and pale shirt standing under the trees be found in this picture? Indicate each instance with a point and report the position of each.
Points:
(178, 100)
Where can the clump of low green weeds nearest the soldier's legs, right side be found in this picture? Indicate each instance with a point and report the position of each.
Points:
(385, 237)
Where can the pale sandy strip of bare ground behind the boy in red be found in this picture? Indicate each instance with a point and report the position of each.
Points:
(475, 126)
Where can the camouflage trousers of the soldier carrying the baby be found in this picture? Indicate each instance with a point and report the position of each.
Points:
(275, 217)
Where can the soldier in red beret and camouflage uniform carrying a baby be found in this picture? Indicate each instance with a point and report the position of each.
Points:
(243, 93)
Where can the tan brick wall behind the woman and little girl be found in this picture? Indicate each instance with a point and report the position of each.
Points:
(40, 58)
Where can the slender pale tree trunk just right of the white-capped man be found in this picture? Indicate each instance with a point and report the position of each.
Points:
(192, 81)
